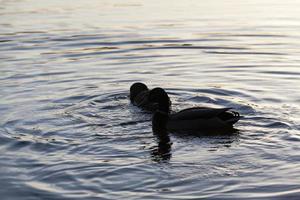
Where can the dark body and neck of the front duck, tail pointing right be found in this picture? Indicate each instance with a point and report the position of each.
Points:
(195, 119)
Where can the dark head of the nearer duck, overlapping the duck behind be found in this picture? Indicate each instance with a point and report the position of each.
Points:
(159, 96)
